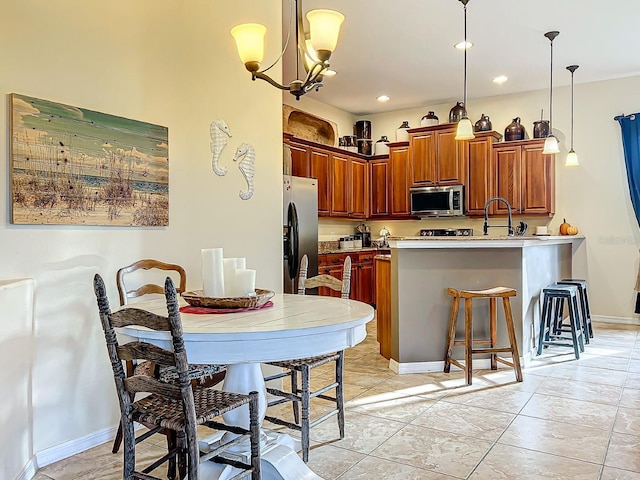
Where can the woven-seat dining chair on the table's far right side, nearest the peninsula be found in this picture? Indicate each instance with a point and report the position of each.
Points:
(303, 395)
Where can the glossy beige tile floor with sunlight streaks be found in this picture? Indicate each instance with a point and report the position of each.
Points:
(568, 420)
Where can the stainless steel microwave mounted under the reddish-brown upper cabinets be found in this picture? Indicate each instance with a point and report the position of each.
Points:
(442, 201)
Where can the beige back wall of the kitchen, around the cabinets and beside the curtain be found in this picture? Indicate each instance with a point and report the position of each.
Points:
(593, 197)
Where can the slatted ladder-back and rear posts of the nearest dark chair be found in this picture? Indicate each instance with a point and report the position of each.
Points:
(128, 386)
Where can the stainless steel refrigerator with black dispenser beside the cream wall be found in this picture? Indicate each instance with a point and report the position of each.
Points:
(300, 228)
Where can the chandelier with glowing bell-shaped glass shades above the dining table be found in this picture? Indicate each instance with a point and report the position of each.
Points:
(315, 46)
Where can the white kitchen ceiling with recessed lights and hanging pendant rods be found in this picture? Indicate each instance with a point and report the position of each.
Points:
(404, 48)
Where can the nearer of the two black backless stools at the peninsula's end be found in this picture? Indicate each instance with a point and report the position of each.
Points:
(553, 297)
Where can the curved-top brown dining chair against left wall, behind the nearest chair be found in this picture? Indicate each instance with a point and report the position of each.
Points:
(205, 375)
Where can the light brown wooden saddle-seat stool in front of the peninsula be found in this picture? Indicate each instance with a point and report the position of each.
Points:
(469, 343)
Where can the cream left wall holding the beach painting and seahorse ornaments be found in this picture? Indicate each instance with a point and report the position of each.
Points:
(159, 61)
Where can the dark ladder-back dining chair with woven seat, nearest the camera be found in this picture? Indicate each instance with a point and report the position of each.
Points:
(178, 407)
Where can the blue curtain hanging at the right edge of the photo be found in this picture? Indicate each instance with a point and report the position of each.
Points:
(630, 125)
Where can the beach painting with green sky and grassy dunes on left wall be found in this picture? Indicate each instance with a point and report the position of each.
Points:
(73, 166)
